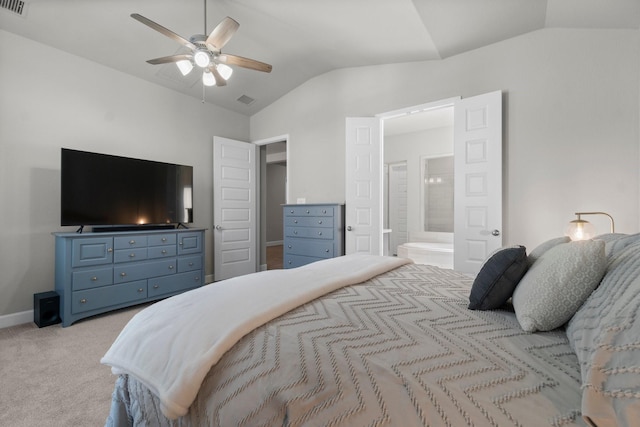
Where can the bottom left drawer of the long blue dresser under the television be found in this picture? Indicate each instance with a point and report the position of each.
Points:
(105, 296)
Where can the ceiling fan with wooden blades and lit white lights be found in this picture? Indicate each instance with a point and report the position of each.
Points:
(206, 51)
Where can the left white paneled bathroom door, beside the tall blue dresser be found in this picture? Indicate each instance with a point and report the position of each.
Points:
(363, 210)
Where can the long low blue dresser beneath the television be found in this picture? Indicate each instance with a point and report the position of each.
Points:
(100, 272)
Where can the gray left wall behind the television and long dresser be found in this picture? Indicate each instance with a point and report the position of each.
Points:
(74, 103)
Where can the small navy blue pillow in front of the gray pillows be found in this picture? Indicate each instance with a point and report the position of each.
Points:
(498, 278)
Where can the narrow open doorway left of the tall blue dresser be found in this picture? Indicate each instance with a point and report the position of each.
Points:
(273, 194)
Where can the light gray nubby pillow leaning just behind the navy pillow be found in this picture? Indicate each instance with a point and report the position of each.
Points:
(558, 283)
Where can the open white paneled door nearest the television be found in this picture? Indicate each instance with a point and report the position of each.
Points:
(234, 208)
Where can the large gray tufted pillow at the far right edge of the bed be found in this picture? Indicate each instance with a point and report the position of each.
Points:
(605, 333)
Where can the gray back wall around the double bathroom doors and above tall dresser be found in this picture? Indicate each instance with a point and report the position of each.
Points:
(571, 120)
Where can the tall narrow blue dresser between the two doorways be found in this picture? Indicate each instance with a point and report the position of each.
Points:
(312, 232)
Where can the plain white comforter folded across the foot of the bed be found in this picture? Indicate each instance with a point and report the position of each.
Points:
(171, 345)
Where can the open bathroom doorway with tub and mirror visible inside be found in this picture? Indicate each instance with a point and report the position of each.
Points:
(413, 197)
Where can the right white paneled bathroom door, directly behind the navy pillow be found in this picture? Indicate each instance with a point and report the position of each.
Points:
(478, 180)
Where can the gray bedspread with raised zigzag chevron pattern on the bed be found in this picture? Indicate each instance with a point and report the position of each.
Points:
(401, 349)
